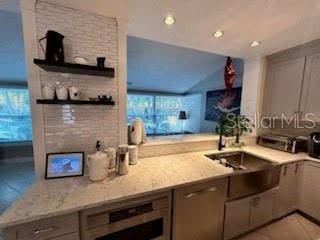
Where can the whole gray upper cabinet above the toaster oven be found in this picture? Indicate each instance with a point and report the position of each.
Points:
(293, 82)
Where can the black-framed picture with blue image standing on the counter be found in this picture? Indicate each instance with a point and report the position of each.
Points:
(61, 165)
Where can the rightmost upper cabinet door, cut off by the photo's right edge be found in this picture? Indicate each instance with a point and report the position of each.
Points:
(310, 97)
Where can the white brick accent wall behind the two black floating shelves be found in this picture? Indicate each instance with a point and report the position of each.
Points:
(78, 127)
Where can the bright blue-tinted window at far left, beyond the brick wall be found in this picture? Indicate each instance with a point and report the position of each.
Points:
(15, 118)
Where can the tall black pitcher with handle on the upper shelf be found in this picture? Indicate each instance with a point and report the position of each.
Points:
(54, 49)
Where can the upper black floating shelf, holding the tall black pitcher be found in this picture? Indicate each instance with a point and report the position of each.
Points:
(74, 68)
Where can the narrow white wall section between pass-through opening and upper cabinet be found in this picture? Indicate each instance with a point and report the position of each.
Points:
(252, 86)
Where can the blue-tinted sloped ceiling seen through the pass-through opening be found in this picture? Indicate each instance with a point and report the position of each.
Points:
(159, 67)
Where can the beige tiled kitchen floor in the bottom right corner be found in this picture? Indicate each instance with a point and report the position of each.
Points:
(293, 227)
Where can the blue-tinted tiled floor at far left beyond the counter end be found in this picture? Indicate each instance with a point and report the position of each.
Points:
(15, 178)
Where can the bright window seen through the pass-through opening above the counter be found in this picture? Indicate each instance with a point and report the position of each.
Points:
(159, 113)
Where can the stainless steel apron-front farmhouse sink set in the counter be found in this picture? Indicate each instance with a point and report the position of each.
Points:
(252, 175)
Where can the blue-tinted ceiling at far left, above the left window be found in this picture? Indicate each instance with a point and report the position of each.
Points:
(12, 63)
